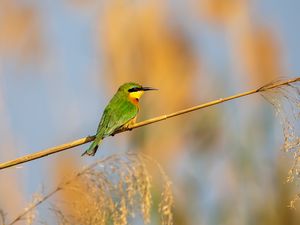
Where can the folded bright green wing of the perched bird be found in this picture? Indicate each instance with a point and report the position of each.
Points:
(118, 112)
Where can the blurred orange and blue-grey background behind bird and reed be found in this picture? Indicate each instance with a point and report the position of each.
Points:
(61, 61)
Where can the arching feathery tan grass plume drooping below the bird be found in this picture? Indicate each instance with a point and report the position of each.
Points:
(112, 191)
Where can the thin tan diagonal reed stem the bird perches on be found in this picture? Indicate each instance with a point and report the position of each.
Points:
(81, 141)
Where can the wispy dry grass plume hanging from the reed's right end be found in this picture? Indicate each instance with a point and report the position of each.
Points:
(286, 102)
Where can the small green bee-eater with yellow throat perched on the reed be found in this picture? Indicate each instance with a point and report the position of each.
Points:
(120, 112)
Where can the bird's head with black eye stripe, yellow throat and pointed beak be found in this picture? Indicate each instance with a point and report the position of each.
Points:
(134, 91)
